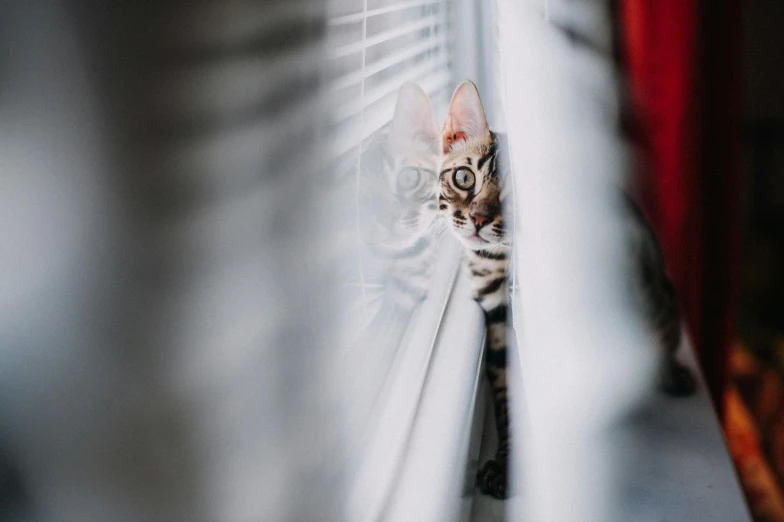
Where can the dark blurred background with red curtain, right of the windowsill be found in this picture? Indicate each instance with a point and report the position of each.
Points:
(705, 75)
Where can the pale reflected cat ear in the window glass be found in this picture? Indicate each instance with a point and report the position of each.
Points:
(414, 119)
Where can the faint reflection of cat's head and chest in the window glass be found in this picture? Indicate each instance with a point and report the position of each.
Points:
(397, 204)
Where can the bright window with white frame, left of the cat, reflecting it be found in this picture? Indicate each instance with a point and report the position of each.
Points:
(413, 336)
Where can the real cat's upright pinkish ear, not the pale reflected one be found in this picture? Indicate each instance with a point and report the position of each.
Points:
(466, 117)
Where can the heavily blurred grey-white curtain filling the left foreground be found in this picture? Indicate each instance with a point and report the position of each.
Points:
(165, 331)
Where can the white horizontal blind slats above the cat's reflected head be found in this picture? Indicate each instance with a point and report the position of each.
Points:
(374, 47)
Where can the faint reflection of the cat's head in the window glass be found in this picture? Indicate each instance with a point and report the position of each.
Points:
(398, 180)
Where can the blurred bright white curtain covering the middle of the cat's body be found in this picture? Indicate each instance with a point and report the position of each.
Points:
(584, 360)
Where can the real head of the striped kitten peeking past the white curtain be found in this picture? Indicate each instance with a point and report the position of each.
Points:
(470, 184)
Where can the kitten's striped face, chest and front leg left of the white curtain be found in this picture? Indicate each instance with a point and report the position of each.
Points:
(474, 214)
